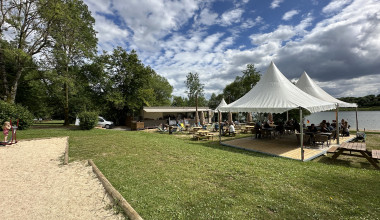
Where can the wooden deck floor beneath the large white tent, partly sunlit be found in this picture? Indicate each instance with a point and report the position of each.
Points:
(284, 146)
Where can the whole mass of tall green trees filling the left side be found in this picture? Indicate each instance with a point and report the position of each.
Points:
(50, 65)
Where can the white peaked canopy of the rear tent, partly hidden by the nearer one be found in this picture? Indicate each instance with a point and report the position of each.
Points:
(306, 84)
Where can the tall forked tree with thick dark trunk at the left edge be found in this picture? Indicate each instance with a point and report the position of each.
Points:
(29, 32)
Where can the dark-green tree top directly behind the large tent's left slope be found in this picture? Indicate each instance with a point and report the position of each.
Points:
(242, 84)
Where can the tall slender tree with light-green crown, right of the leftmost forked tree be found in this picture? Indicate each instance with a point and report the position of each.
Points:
(73, 41)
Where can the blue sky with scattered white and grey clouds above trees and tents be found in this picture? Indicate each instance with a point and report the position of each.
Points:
(336, 42)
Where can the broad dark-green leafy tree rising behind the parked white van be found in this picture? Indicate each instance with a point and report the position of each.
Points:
(125, 85)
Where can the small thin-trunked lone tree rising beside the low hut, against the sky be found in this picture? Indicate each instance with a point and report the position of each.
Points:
(195, 90)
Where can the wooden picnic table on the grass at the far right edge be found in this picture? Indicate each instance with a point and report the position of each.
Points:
(355, 147)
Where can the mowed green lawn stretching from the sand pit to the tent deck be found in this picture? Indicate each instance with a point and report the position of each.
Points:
(166, 177)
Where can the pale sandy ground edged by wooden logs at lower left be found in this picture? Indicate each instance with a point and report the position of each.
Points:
(35, 185)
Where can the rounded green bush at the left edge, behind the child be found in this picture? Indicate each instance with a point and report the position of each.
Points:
(13, 112)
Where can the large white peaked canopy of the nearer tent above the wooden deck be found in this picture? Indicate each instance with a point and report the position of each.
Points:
(274, 93)
